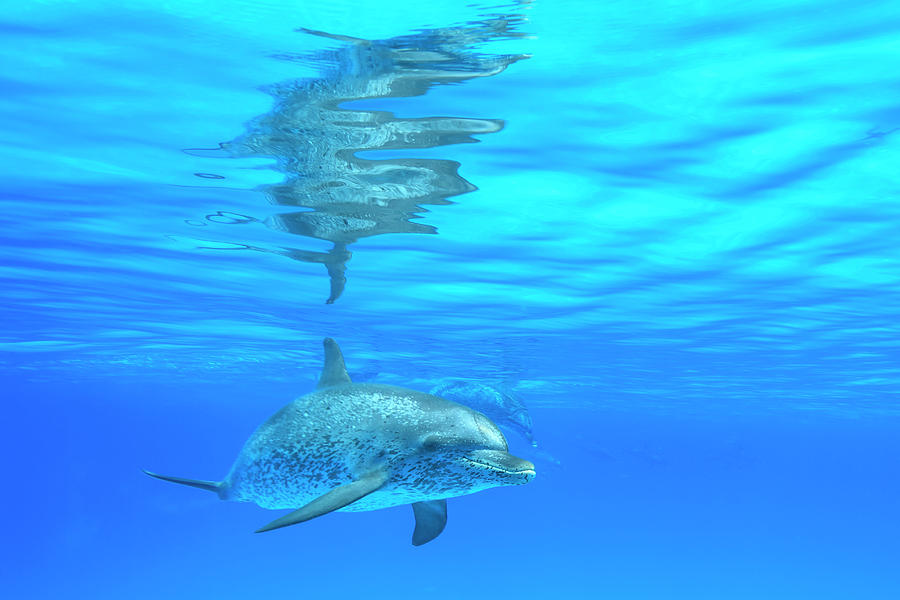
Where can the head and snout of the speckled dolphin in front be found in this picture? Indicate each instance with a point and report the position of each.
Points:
(473, 455)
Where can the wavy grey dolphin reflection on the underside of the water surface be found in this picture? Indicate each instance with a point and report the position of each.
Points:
(315, 140)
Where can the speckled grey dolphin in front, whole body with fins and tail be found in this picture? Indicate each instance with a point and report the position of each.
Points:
(363, 446)
